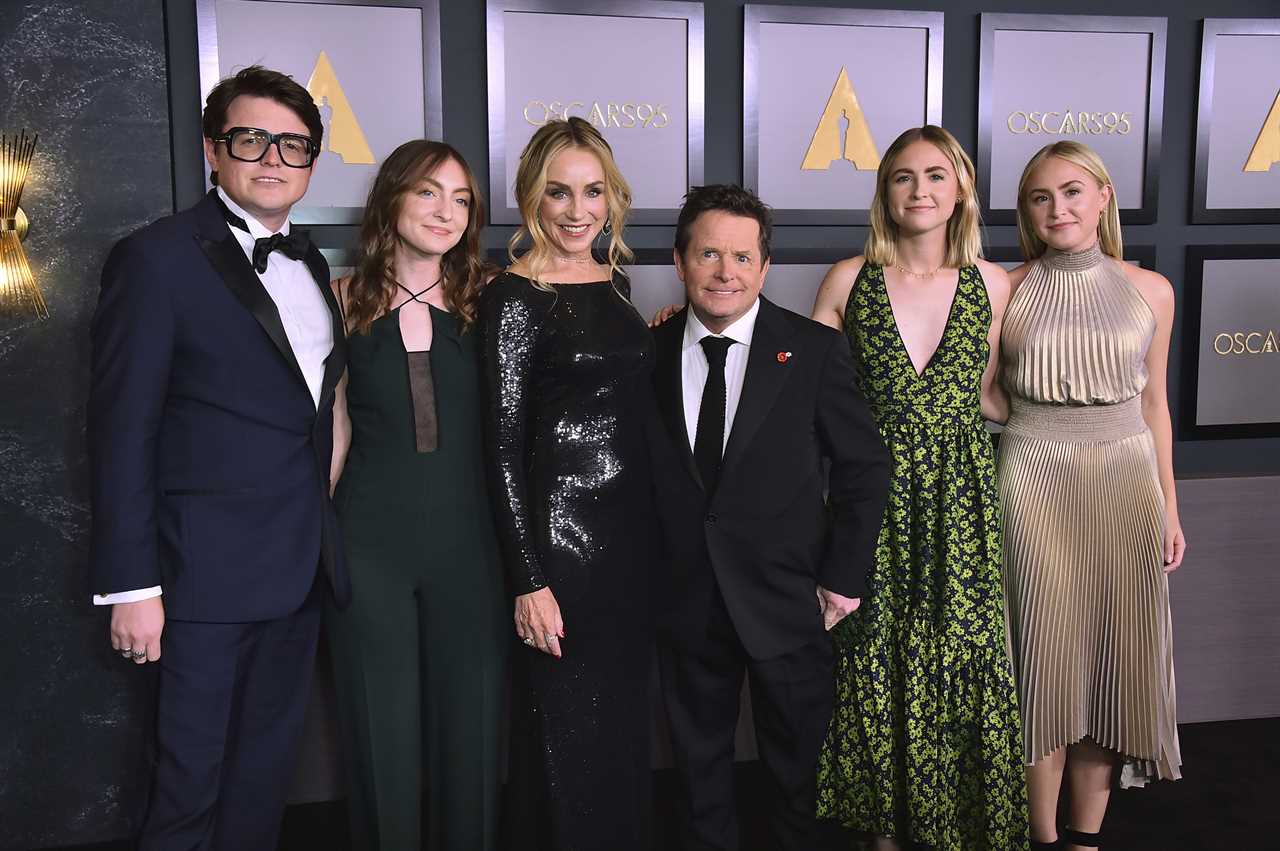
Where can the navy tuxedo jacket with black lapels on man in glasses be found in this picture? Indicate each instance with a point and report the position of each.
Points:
(209, 459)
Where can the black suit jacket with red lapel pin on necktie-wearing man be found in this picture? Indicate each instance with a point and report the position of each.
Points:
(767, 537)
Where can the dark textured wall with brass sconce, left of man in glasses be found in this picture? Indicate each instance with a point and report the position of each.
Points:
(90, 77)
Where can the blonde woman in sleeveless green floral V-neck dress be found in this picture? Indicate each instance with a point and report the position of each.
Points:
(925, 745)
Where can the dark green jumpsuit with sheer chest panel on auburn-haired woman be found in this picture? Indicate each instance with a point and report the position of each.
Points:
(420, 655)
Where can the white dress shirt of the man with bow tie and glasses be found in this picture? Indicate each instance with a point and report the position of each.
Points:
(307, 321)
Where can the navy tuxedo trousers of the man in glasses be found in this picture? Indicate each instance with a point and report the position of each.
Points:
(231, 702)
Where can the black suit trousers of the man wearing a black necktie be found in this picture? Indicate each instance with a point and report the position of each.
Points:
(792, 701)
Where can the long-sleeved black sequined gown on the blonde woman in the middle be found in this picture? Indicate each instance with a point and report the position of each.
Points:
(568, 392)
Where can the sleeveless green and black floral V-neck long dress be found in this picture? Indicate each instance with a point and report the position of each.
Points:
(925, 744)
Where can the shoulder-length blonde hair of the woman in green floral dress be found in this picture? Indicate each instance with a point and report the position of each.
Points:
(964, 239)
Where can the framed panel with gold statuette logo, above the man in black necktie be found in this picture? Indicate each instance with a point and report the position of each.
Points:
(820, 109)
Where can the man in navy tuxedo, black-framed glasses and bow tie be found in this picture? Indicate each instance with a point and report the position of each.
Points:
(217, 350)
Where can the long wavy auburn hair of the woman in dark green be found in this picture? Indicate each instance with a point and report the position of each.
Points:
(373, 286)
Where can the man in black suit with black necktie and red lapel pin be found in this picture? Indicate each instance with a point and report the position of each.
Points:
(753, 399)
